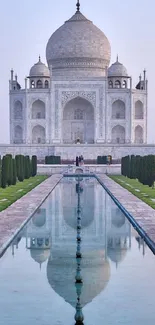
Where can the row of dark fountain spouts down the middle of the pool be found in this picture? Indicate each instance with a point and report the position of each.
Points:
(79, 318)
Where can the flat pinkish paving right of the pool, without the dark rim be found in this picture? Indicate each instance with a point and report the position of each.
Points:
(143, 214)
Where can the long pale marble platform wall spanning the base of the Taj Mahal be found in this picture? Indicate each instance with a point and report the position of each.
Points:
(69, 152)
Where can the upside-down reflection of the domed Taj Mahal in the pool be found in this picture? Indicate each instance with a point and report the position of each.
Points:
(51, 238)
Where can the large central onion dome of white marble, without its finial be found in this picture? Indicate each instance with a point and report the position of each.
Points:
(78, 43)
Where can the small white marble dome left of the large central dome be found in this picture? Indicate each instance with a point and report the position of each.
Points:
(39, 69)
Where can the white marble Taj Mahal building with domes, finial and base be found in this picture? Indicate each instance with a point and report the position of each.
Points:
(78, 100)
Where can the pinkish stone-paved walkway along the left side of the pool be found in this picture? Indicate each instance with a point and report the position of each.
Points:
(21, 211)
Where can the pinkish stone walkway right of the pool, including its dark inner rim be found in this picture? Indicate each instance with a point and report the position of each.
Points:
(140, 215)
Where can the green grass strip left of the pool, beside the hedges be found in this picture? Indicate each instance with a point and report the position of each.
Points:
(14, 192)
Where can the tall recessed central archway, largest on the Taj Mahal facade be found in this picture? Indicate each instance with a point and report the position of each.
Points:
(78, 121)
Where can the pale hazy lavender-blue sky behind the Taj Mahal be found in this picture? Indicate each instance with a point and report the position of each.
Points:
(25, 27)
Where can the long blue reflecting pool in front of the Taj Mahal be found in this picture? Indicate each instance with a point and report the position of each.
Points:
(44, 280)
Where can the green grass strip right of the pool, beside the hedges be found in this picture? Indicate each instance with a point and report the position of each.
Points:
(144, 189)
